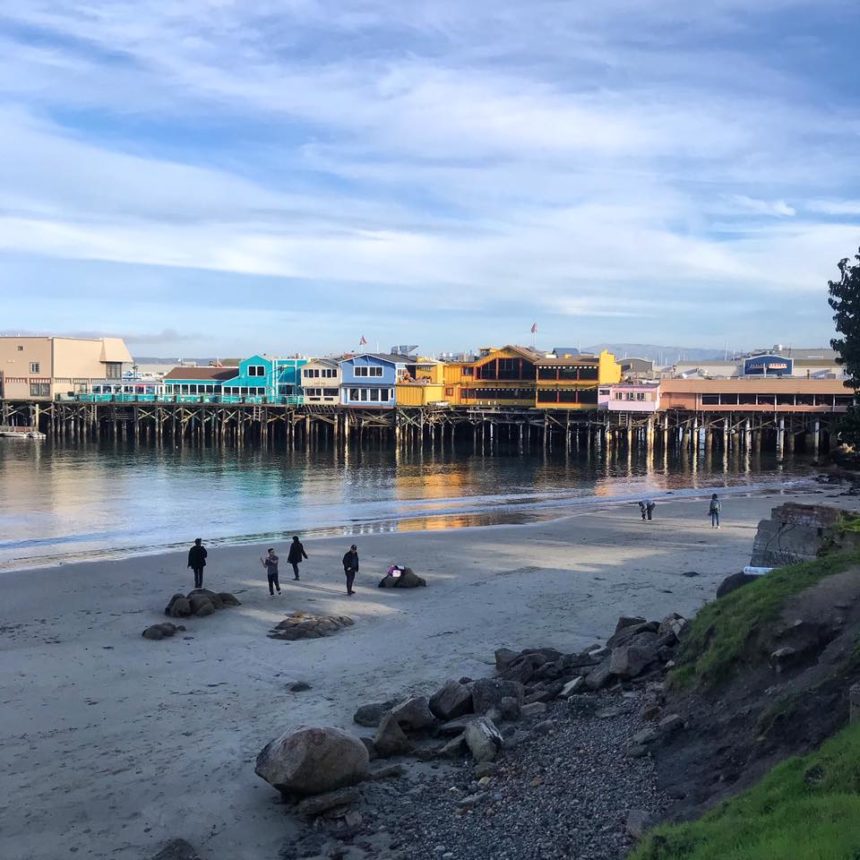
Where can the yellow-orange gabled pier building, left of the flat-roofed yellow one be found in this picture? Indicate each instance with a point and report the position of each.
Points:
(497, 377)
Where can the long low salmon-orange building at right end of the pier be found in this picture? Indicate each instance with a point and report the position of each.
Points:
(771, 394)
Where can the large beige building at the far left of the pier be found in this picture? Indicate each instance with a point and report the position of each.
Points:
(44, 368)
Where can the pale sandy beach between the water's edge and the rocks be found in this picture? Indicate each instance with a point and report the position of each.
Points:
(112, 744)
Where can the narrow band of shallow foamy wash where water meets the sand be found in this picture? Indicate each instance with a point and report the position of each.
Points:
(531, 514)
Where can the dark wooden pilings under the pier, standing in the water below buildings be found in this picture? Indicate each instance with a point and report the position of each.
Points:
(436, 427)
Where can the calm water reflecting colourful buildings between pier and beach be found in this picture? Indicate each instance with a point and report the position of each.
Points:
(62, 503)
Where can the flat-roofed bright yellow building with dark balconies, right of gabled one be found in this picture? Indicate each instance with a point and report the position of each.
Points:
(571, 381)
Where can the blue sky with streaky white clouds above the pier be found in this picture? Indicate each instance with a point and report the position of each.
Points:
(225, 177)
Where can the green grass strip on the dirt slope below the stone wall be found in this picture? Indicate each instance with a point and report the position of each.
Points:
(724, 632)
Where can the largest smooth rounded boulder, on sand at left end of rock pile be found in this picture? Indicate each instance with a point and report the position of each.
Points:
(312, 761)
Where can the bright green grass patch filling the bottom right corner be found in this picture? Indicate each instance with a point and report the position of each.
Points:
(807, 808)
